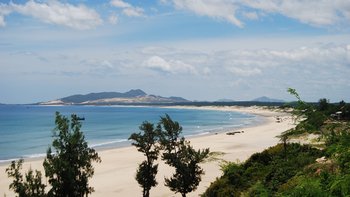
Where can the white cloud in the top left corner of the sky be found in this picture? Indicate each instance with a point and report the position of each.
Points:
(55, 12)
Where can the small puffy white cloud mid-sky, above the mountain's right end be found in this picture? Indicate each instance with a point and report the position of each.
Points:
(171, 66)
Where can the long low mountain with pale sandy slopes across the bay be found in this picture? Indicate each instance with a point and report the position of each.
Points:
(109, 98)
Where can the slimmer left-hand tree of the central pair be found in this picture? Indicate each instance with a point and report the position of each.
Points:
(146, 143)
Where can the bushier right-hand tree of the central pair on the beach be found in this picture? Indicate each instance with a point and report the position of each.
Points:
(179, 154)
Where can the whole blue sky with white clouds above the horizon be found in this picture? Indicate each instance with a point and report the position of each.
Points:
(196, 49)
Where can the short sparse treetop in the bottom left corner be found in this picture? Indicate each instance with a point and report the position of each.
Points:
(30, 186)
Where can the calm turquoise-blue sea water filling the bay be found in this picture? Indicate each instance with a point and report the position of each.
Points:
(26, 130)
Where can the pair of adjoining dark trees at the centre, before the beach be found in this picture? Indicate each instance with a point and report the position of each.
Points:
(177, 153)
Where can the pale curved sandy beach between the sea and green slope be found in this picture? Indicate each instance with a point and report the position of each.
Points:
(115, 175)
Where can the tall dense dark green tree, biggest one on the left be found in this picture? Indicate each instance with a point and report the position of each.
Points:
(69, 167)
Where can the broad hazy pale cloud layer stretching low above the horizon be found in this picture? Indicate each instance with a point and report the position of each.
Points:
(239, 74)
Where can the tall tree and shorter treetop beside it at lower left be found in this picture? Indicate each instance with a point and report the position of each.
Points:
(68, 169)
